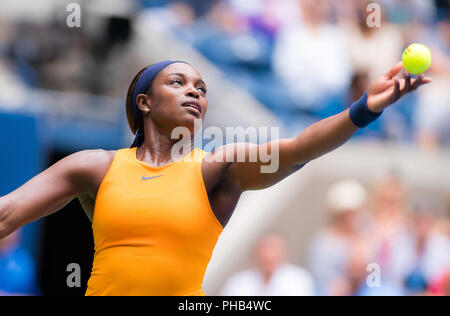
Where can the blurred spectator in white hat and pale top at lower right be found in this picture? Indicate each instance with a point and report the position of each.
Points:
(330, 255)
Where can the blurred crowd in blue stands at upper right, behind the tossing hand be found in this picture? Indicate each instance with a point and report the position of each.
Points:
(308, 59)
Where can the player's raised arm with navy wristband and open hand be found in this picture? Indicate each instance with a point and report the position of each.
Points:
(315, 141)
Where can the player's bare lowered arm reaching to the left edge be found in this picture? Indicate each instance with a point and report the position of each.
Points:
(49, 191)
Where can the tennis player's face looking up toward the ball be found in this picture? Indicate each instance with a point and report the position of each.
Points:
(178, 97)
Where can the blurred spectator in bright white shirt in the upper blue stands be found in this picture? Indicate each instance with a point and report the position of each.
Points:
(312, 61)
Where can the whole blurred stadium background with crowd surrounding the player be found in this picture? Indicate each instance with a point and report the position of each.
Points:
(284, 63)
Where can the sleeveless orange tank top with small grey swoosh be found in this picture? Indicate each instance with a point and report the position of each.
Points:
(154, 229)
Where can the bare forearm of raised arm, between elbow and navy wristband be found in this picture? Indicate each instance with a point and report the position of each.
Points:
(322, 137)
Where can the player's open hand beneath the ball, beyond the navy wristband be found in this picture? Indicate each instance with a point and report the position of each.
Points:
(387, 89)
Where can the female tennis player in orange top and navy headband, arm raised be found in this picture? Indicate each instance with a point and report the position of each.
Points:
(156, 219)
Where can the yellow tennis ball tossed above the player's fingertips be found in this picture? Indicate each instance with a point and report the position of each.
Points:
(416, 58)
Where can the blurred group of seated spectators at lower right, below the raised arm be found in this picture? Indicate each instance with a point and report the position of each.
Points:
(383, 241)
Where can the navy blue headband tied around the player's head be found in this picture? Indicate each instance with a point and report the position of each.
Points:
(142, 85)
